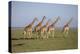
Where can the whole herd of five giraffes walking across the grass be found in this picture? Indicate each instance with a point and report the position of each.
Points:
(43, 31)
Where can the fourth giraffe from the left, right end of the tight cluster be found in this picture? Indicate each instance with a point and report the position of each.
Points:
(51, 28)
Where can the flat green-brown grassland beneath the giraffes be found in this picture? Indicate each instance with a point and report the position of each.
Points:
(56, 43)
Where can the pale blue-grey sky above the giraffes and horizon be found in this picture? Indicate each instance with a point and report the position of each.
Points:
(23, 13)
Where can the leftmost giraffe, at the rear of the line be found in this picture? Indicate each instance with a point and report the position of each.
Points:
(28, 29)
